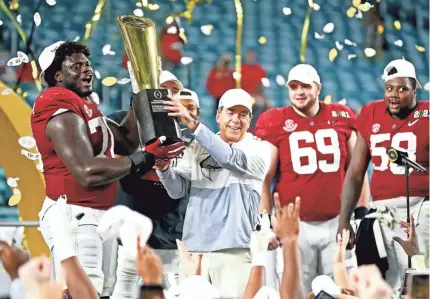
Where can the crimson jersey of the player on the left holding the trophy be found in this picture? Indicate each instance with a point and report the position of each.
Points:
(58, 179)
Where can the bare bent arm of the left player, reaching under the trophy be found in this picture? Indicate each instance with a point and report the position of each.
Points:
(68, 134)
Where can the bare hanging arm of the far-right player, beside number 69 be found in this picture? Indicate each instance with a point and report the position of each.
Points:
(353, 185)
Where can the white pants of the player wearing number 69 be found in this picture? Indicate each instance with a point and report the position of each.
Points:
(317, 241)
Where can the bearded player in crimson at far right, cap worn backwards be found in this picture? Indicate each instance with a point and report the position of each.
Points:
(398, 121)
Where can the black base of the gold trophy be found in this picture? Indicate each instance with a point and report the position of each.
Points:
(152, 120)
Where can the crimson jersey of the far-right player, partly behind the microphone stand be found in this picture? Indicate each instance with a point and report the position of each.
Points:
(411, 135)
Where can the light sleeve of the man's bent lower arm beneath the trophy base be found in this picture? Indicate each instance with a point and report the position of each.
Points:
(177, 180)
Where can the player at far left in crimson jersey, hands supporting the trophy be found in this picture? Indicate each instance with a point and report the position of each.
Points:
(76, 147)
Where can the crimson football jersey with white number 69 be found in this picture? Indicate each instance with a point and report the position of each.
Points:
(312, 156)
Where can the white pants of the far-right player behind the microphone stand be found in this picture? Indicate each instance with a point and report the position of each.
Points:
(397, 258)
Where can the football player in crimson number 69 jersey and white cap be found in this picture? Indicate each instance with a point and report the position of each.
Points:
(314, 141)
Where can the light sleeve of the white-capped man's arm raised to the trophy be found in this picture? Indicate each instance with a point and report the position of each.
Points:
(254, 163)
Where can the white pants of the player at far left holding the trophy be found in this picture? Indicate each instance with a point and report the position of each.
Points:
(97, 257)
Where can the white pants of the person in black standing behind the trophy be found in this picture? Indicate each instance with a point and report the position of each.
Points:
(127, 284)
